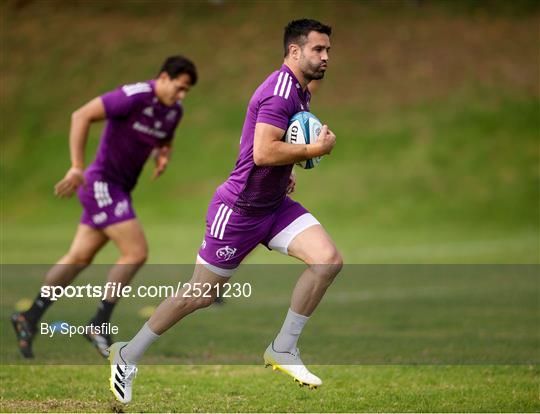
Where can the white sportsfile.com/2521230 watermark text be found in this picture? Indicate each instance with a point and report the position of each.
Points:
(117, 290)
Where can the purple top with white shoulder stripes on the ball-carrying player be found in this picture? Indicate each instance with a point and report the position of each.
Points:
(253, 190)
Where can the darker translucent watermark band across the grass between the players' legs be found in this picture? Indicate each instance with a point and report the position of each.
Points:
(370, 314)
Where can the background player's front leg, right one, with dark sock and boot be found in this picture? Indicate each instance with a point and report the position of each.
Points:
(129, 238)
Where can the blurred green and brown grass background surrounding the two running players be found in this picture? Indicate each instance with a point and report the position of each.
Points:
(436, 112)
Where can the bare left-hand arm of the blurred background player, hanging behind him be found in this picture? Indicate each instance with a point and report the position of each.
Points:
(81, 120)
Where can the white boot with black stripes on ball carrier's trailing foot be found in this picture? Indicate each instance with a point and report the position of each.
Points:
(122, 373)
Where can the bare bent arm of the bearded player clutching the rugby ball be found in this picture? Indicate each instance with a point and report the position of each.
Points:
(270, 150)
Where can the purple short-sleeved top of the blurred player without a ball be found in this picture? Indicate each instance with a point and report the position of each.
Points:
(136, 123)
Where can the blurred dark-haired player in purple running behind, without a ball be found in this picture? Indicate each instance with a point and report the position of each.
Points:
(141, 119)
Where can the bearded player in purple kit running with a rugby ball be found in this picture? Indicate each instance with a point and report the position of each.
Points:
(252, 207)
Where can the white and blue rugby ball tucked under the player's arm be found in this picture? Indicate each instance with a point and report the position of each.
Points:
(304, 128)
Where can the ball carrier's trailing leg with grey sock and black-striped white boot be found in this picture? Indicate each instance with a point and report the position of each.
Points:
(125, 355)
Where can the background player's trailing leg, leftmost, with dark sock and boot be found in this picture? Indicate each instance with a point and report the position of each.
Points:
(86, 243)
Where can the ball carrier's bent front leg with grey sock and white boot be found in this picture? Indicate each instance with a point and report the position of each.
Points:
(315, 248)
